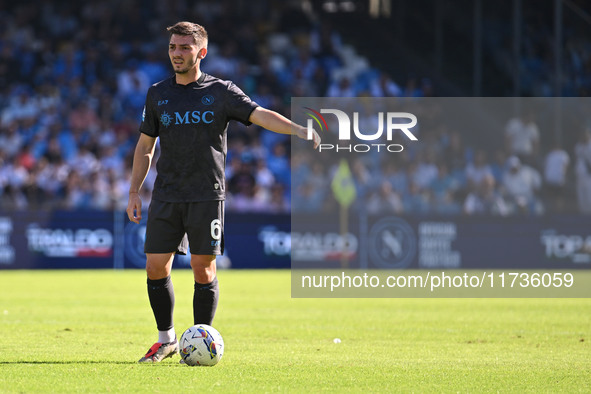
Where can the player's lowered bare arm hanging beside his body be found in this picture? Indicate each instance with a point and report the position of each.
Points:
(142, 159)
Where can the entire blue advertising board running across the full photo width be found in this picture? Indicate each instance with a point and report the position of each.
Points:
(106, 239)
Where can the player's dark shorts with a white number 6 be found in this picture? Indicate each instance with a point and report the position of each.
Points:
(177, 226)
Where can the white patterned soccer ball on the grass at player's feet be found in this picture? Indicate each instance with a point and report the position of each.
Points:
(201, 345)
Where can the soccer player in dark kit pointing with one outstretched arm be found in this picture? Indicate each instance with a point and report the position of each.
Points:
(189, 112)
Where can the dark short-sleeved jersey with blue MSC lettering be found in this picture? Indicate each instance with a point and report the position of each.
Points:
(191, 122)
